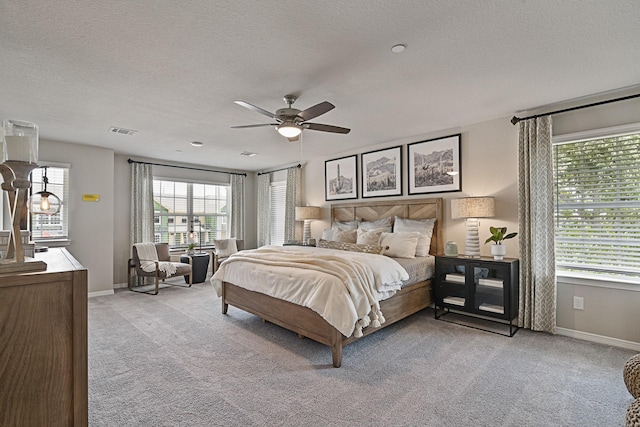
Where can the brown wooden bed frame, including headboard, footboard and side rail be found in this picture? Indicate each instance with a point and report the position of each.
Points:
(306, 322)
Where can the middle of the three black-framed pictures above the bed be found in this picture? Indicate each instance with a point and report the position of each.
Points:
(382, 172)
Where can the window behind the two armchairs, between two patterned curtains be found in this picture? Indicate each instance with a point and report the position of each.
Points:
(183, 207)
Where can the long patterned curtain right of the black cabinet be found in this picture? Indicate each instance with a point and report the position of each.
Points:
(537, 304)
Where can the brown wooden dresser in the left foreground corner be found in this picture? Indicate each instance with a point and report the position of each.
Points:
(43, 344)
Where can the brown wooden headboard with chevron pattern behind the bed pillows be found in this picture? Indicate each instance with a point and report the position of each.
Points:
(412, 209)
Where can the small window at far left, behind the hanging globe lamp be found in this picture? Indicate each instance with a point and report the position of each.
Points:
(51, 228)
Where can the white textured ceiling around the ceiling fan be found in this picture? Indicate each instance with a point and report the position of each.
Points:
(171, 70)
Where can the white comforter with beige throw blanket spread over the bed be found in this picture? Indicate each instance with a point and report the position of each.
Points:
(343, 287)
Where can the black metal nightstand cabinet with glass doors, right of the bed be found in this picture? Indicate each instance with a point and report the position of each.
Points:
(478, 286)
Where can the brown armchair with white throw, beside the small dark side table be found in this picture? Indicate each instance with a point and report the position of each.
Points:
(153, 260)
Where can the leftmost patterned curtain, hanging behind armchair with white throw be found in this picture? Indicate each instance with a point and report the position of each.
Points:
(141, 203)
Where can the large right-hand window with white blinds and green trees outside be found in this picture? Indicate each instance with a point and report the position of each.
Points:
(597, 206)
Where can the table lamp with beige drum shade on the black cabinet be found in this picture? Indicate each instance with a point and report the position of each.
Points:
(472, 208)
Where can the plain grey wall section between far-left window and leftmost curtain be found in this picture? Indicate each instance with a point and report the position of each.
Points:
(90, 223)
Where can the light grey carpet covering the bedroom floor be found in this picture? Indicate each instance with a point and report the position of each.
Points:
(175, 360)
